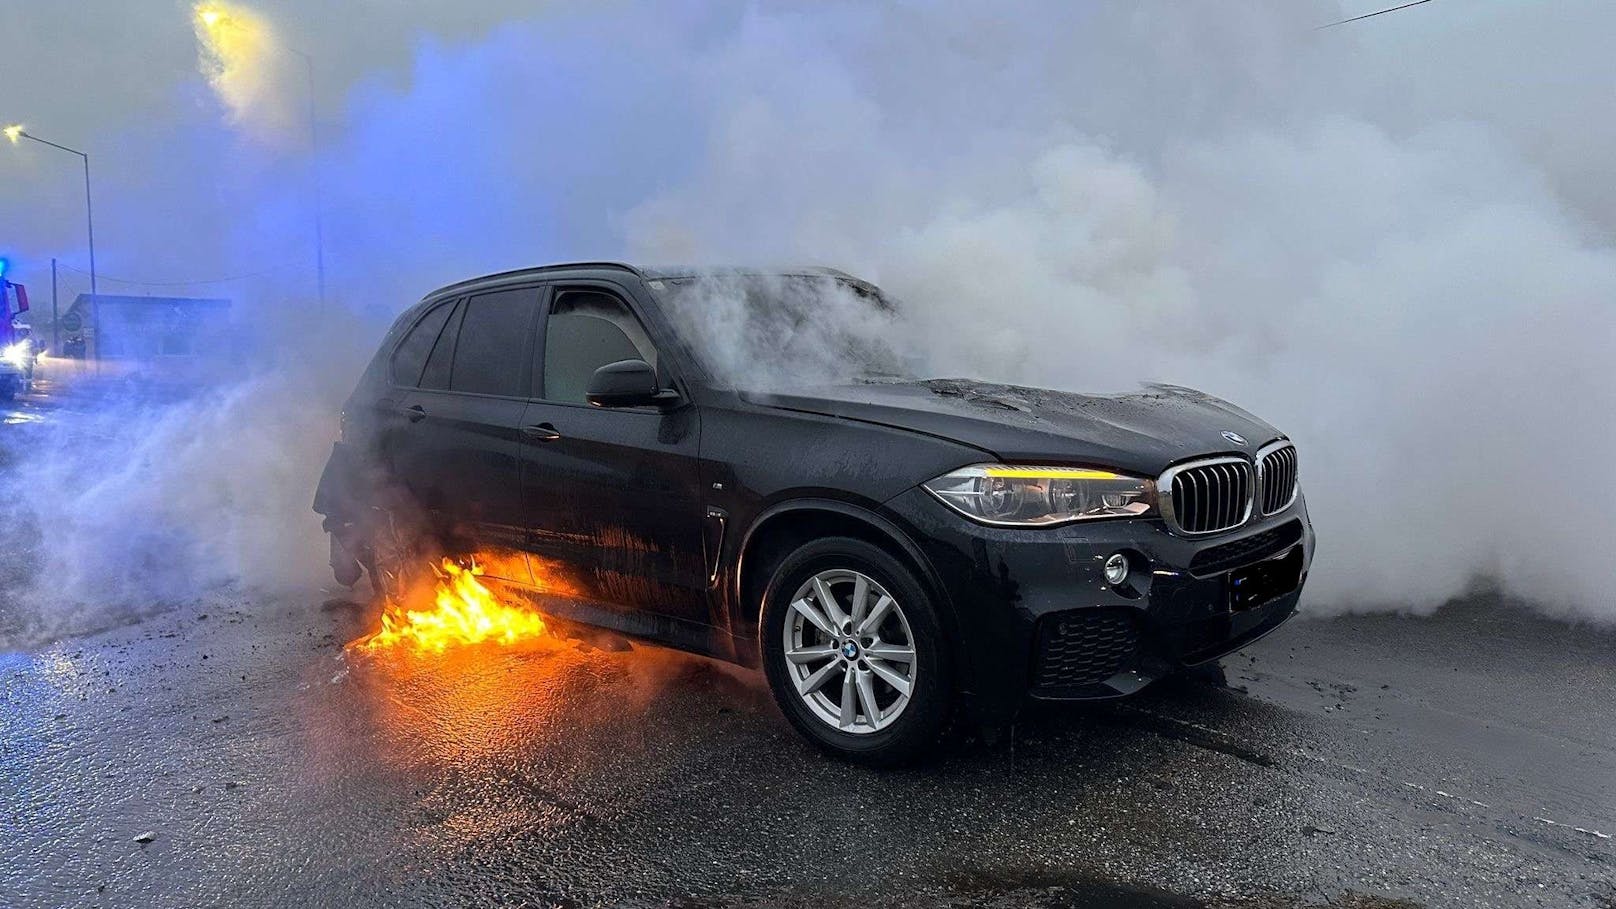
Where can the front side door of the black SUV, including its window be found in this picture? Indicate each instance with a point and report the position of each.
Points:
(613, 496)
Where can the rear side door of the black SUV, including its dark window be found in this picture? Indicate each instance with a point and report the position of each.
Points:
(460, 459)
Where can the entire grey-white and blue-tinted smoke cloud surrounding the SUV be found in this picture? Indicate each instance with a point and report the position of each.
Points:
(1392, 240)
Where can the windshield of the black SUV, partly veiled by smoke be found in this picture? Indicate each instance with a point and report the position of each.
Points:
(786, 331)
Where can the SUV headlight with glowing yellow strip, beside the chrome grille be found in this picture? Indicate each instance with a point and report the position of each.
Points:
(998, 494)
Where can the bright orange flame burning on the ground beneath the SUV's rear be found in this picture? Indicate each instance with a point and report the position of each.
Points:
(466, 612)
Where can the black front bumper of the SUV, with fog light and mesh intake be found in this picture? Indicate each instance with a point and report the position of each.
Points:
(1035, 617)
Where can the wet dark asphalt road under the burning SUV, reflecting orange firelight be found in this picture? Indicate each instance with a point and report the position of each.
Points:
(272, 769)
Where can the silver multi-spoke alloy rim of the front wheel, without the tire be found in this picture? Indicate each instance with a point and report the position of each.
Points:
(849, 651)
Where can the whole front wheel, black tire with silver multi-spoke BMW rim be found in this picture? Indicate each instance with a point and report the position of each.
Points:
(812, 687)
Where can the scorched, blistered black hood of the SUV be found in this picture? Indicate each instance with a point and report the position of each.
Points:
(1140, 433)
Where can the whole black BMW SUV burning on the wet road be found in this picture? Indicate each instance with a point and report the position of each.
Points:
(736, 463)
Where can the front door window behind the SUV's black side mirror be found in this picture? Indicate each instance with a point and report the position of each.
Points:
(586, 332)
